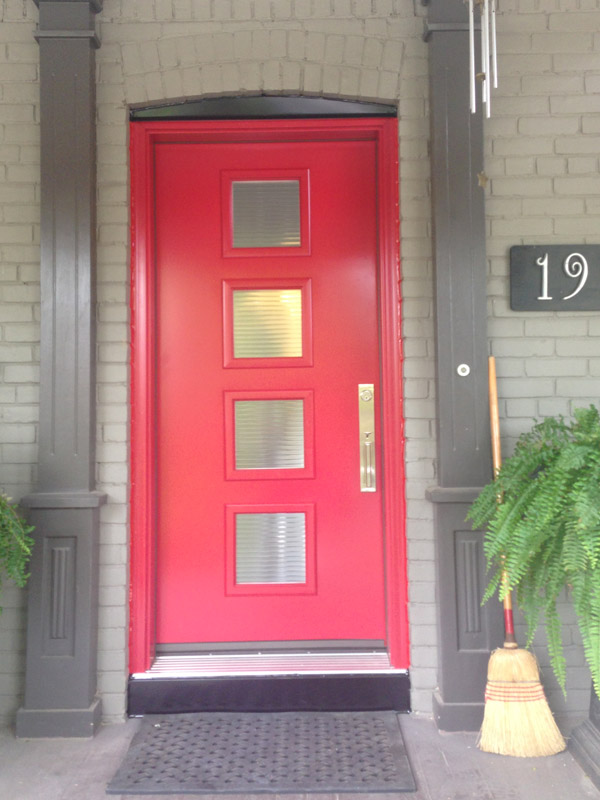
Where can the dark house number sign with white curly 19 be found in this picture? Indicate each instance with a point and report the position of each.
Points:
(555, 278)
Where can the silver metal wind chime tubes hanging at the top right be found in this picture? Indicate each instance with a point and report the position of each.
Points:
(488, 74)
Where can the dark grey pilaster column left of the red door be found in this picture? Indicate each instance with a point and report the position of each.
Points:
(60, 682)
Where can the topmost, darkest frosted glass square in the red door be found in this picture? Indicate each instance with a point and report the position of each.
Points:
(266, 213)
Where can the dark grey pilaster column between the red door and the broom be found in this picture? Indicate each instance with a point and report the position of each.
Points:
(467, 632)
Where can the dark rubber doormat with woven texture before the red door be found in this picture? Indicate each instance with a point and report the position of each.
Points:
(272, 753)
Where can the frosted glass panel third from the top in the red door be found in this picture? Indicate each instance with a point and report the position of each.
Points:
(269, 434)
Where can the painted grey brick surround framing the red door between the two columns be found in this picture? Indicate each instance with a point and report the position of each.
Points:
(169, 50)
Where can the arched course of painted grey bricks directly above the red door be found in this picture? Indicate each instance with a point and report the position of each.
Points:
(188, 67)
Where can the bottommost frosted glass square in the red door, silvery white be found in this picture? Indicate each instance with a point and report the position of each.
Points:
(270, 548)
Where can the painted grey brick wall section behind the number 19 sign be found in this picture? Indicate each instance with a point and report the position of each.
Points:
(542, 158)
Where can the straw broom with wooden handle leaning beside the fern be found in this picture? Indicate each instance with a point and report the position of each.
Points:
(517, 720)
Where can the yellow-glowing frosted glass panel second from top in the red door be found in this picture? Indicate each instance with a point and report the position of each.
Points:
(267, 323)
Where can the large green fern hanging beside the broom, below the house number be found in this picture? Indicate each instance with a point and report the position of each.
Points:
(542, 520)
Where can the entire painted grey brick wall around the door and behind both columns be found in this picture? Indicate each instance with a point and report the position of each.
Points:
(541, 158)
